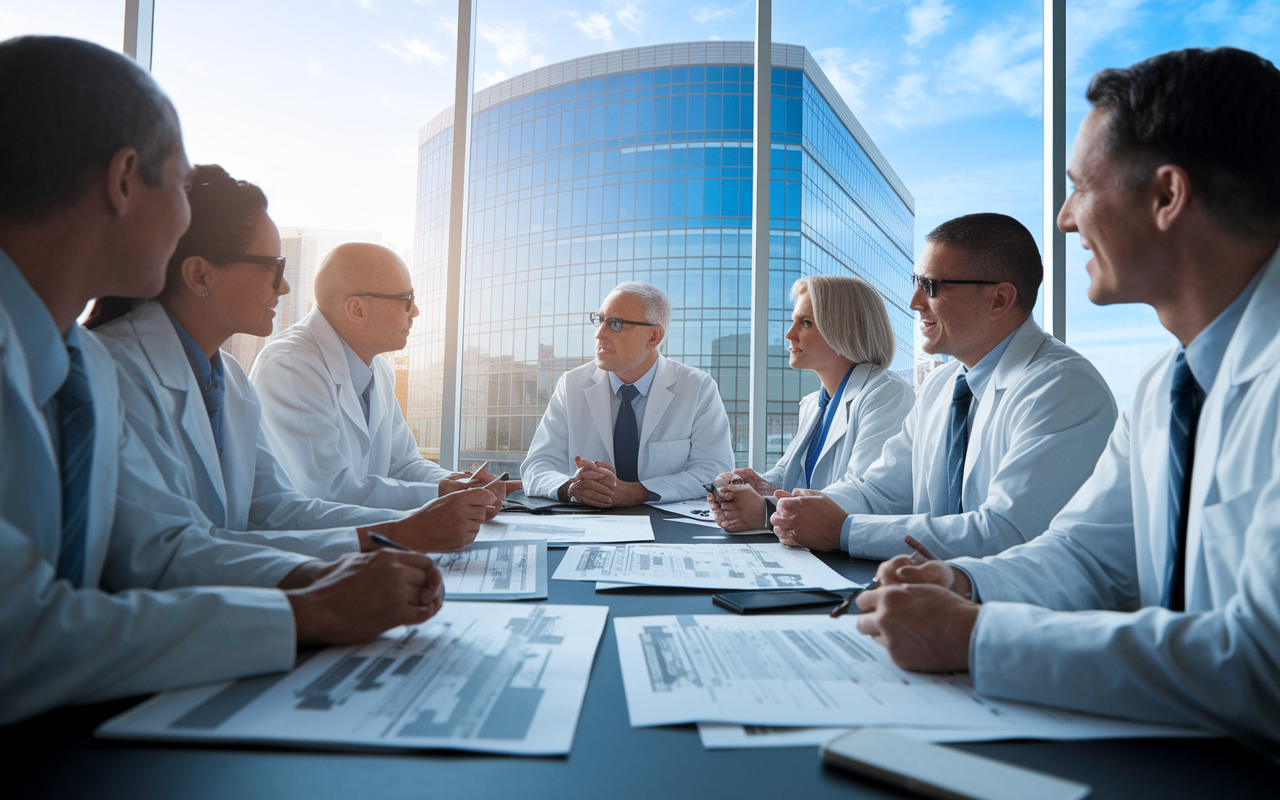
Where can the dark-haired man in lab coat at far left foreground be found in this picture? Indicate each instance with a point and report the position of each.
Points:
(111, 586)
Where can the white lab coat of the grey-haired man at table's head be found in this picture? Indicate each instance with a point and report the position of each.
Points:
(684, 437)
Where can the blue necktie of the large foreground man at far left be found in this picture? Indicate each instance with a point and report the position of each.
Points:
(76, 465)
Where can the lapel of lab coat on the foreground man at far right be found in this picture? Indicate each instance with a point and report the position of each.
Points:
(1254, 349)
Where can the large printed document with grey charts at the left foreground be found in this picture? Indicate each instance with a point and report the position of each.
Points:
(496, 678)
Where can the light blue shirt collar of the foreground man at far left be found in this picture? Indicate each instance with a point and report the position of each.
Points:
(45, 349)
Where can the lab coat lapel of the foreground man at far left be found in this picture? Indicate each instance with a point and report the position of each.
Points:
(164, 351)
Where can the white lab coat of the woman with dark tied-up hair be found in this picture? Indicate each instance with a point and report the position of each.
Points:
(243, 491)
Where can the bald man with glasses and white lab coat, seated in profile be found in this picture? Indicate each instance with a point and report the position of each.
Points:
(328, 401)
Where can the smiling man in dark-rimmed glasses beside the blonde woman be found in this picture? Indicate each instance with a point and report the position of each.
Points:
(998, 440)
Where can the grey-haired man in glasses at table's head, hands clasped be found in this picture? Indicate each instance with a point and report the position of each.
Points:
(634, 427)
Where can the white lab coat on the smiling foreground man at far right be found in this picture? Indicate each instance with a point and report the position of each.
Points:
(1219, 664)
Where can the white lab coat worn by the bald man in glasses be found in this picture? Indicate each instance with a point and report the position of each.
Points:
(317, 429)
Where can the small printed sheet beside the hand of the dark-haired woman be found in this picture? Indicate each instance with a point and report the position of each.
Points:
(496, 572)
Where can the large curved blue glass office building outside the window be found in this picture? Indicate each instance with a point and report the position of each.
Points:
(637, 166)
